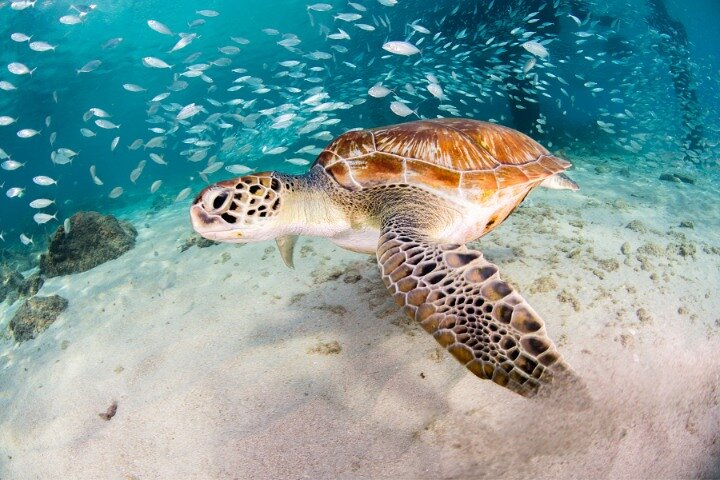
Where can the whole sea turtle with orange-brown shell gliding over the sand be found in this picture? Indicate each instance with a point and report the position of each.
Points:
(413, 194)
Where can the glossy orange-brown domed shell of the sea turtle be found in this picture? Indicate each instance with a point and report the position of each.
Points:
(454, 155)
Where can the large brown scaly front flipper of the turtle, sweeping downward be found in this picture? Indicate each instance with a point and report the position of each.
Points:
(459, 298)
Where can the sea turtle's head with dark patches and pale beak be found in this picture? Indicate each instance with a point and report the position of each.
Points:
(239, 210)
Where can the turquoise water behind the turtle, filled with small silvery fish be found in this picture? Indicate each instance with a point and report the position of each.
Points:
(604, 87)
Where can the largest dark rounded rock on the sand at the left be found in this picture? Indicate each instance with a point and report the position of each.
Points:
(93, 239)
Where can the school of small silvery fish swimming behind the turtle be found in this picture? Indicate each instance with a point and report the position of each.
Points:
(356, 65)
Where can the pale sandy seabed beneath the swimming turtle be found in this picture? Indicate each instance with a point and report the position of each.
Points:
(209, 354)
